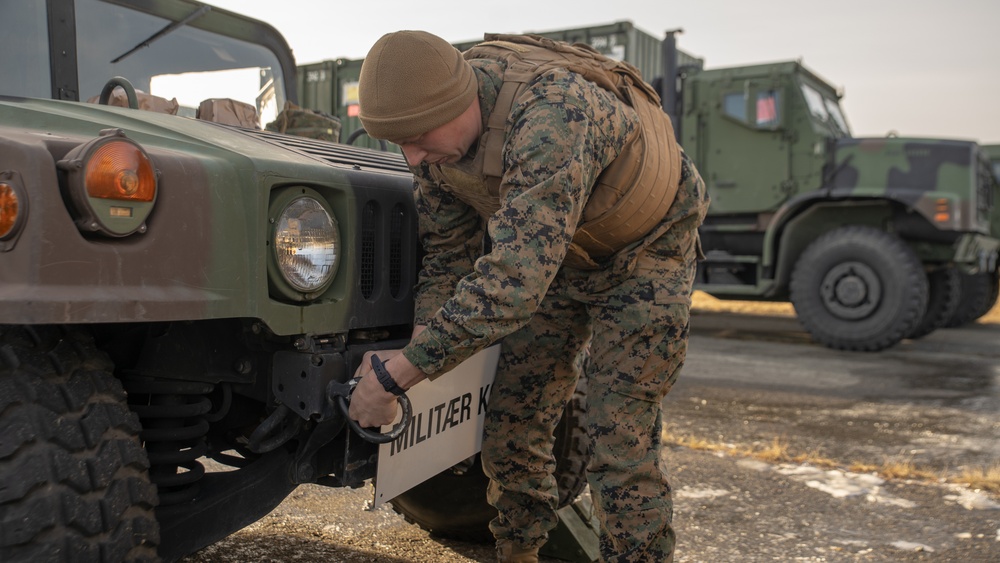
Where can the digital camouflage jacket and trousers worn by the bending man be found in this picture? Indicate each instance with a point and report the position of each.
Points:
(631, 313)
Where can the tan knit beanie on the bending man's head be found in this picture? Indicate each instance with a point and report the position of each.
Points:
(412, 82)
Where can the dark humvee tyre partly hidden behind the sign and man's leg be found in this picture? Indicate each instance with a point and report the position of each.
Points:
(453, 503)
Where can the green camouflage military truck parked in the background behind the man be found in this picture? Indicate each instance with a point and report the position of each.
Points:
(872, 239)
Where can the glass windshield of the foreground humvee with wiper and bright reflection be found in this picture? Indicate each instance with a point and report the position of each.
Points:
(187, 63)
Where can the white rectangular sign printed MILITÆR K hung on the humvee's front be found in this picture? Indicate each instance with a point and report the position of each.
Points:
(446, 426)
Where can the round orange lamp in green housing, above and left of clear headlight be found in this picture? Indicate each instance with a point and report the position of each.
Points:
(112, 184)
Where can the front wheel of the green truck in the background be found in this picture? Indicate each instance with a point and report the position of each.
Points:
(859, 288)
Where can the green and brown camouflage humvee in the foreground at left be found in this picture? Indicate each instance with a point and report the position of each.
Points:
(180, 288)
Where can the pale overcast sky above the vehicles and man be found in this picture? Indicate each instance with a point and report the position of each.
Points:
(916, 68)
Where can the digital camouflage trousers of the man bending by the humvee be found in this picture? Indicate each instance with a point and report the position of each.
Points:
(632, 337)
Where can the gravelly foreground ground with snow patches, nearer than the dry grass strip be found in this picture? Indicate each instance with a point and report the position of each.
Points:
(726, 509)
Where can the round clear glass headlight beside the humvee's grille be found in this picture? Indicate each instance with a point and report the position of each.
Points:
(306, 244)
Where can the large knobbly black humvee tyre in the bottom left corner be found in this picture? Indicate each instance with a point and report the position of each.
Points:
(74, 483)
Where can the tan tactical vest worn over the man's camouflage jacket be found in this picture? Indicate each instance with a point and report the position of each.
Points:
(632, 194)
